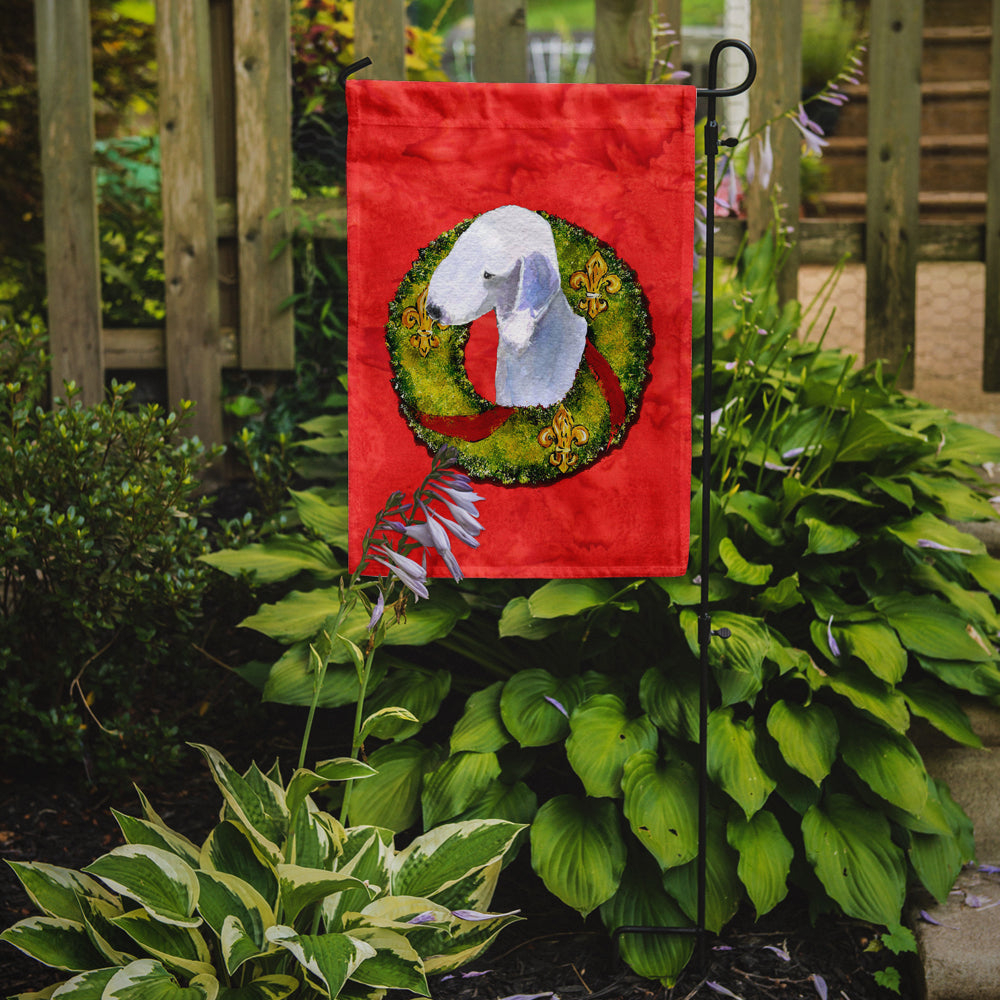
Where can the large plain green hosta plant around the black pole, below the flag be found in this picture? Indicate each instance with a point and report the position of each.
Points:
(855, 604)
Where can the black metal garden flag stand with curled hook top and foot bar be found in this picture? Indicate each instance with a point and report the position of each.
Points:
(705, 631)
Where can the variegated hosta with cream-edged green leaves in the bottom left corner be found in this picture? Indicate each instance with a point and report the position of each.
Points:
(279, 900)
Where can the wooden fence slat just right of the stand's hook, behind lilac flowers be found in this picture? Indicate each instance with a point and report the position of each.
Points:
(776, 36)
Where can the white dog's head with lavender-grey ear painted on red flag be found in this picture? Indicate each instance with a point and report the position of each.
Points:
(506, 260)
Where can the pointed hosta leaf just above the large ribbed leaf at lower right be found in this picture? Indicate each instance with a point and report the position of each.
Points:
(887, 762)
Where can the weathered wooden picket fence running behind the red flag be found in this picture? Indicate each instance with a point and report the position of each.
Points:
(226, 161)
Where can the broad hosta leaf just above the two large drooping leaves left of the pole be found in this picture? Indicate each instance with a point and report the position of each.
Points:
(602, 738)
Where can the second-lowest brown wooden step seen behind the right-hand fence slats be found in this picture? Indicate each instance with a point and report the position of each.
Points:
(947, 162)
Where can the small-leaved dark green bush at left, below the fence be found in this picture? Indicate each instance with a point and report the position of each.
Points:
(99, 539)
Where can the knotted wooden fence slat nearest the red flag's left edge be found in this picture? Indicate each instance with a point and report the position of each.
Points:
(262, 61)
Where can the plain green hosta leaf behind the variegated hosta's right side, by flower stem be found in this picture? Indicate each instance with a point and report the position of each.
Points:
(391, 798)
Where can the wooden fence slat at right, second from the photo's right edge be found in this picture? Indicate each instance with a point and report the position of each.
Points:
(893, 184)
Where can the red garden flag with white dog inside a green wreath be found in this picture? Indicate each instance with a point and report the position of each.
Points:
(520, 278)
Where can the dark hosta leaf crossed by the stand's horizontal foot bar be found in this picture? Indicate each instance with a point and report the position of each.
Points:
(641, 901)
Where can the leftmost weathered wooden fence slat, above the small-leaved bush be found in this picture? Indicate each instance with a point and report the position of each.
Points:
(72, 256)
